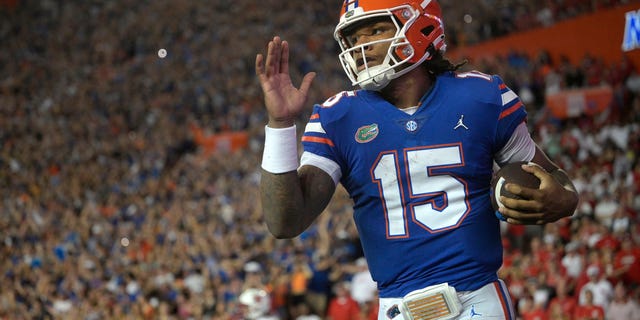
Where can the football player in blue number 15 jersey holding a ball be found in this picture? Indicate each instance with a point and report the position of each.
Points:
(415, 148)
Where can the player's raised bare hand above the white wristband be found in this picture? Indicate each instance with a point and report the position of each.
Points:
(282, 99)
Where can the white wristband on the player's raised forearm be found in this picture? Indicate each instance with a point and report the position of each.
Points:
(280, 153)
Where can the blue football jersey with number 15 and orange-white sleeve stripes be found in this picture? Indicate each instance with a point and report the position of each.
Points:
(420, 183)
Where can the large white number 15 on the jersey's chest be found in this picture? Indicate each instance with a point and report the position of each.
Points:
(425, 187)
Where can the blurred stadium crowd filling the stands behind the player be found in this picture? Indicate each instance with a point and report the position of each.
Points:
(109, 210)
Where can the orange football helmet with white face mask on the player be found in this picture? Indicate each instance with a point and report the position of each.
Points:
(419, 34)
